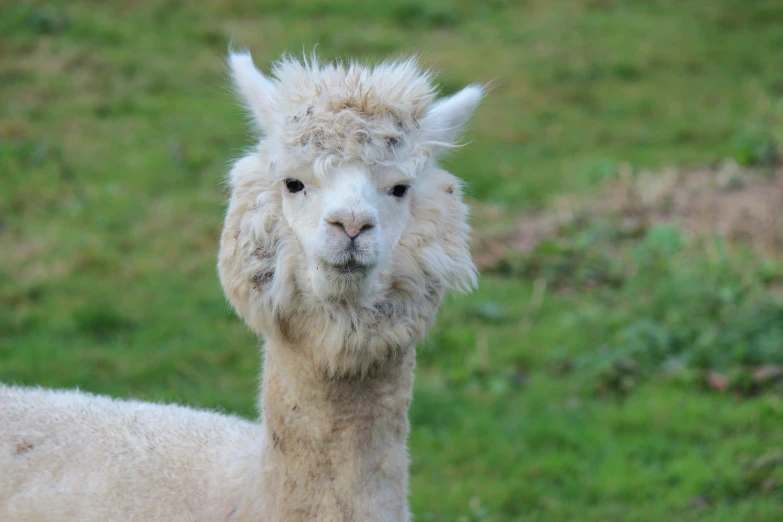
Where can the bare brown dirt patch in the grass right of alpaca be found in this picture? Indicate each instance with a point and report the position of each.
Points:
(739, 204)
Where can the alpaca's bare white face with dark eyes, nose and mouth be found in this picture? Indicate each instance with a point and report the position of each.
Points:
(347, 223)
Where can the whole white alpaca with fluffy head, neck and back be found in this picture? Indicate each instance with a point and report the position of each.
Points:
(340, 240)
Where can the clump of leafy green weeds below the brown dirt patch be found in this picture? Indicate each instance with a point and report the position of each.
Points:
(667, 305)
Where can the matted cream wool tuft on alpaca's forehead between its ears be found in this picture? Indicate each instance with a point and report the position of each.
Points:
(345, 112)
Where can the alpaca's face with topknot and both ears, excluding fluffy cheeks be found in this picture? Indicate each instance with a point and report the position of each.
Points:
(347, 147)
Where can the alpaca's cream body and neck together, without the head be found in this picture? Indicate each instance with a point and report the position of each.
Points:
(327, 451)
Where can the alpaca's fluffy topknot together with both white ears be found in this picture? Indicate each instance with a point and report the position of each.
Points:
(321, 115)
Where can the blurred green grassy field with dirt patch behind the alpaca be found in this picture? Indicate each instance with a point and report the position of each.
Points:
(623, 357)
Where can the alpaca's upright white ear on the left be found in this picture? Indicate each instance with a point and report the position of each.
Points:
(256, 90)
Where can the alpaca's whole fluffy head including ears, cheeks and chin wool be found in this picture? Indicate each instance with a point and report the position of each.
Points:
(342, 231)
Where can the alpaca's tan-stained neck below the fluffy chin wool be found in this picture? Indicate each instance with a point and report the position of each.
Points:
(335, 449)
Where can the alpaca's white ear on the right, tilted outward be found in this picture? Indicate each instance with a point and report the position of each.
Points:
(446, 117)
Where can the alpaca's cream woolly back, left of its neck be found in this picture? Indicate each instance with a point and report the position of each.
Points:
(69, 455)
